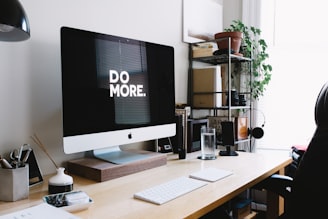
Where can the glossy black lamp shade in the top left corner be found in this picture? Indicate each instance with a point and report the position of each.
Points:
(14, 25)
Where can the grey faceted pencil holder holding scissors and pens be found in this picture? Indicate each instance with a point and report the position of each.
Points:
(14, 184)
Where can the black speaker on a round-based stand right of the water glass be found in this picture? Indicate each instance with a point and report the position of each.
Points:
(228, 138)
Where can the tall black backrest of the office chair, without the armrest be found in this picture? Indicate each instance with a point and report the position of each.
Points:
(310, 181)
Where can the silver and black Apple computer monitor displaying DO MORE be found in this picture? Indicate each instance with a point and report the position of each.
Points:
(115, 91)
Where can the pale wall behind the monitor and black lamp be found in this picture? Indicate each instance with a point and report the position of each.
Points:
(30, 71)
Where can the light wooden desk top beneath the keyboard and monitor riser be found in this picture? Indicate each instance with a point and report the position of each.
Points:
(114, 198)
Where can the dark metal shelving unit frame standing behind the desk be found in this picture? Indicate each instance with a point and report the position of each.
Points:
(215, 60)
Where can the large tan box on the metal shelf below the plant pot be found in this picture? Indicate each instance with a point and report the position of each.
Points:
(207, 81)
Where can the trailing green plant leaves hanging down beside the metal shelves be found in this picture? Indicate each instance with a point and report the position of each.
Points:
(256, 47)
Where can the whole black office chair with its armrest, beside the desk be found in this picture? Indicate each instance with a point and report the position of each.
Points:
(306, 193)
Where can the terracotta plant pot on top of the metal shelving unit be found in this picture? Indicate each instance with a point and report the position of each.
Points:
(223, 40)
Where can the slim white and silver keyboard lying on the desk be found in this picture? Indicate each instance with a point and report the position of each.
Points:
(170, 190)
